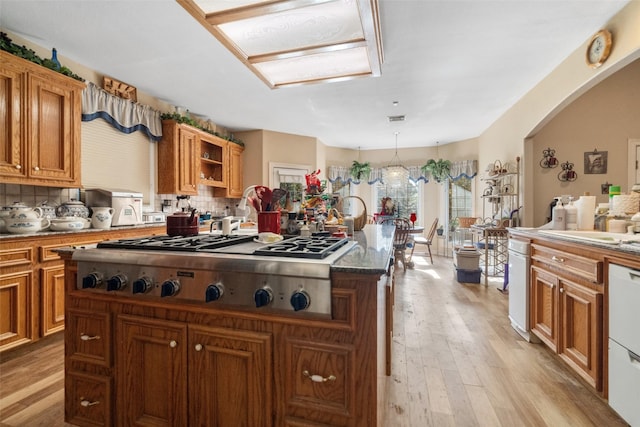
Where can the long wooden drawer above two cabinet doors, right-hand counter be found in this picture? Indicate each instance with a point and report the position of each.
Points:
(586, 268)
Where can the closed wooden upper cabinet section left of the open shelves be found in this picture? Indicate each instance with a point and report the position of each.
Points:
(178, 159)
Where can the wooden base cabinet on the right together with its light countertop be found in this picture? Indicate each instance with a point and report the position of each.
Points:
(569, 296)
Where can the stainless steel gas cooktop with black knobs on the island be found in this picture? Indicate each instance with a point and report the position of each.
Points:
(237, 271)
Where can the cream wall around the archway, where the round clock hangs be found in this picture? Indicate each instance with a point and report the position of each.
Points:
(510, 134)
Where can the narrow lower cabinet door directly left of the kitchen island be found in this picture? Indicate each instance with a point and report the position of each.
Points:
(52, 299)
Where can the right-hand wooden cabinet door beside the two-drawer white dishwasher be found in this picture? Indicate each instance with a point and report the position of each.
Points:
(581, 325)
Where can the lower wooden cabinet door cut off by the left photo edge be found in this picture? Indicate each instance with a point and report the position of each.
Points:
(15, 309)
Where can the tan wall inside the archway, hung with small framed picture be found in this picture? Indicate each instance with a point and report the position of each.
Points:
(604, 118)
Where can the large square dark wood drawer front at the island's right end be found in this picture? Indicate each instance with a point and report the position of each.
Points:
(321, 380)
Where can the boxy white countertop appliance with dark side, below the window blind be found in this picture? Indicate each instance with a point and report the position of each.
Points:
(127, 205)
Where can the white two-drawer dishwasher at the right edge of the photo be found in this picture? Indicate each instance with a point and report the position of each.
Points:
(624, 342)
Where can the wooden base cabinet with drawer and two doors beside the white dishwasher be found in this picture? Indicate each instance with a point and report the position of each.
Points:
(567, 294)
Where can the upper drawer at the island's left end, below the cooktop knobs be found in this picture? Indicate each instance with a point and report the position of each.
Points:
(88, 337)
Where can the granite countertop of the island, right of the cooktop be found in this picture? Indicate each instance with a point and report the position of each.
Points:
(371, 254)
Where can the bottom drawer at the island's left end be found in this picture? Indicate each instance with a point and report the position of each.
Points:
(87, 399)
